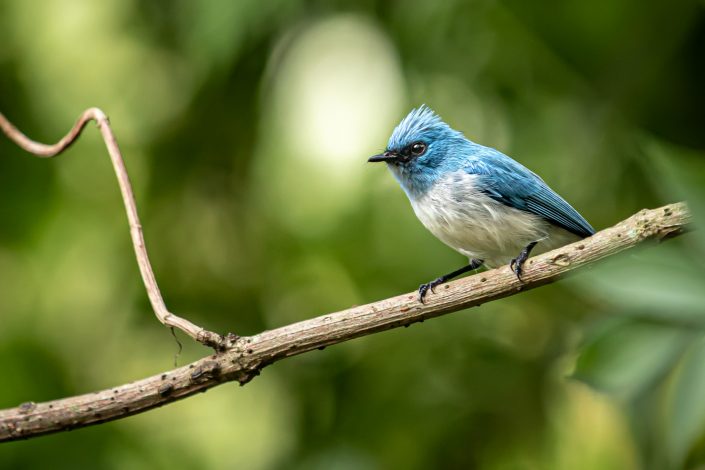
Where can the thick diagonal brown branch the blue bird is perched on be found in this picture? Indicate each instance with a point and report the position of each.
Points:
(246, 357)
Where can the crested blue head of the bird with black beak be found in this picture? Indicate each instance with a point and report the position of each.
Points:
(420, 149)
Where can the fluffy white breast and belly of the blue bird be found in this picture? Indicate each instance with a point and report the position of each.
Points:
(479, 227)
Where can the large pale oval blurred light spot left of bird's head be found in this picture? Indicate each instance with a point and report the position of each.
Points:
(335, 90)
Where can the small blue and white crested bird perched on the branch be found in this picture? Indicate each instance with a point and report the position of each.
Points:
(475, 199)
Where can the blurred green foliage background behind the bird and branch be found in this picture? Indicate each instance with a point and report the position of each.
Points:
(246, 126)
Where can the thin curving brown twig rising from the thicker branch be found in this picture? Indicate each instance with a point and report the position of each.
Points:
(201, 335)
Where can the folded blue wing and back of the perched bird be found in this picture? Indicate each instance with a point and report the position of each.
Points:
(510, 183)
